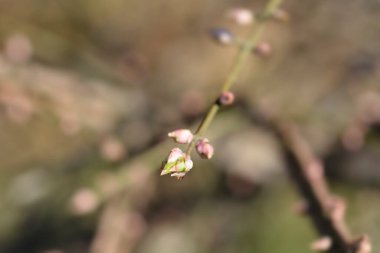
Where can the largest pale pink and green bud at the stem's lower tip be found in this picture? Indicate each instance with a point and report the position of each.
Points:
(177, 164)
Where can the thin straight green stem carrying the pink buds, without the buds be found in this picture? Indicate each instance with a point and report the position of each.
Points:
(240, 60)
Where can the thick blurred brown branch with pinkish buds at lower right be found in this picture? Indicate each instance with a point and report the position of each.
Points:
(325, 209)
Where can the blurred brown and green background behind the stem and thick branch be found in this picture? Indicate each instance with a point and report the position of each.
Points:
(90, 88)
